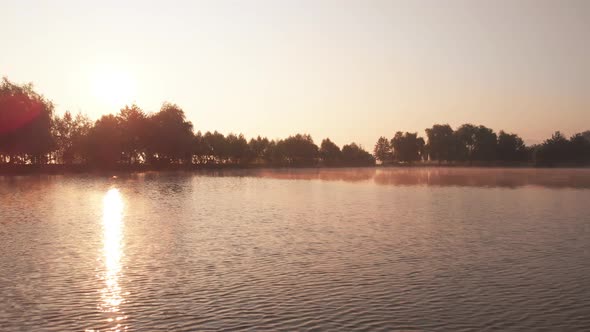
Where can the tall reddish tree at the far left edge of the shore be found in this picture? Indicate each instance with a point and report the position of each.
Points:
(25, 124)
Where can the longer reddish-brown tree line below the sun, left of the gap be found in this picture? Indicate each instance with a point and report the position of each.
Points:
(31, 133)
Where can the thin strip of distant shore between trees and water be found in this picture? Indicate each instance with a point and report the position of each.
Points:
(82, 169)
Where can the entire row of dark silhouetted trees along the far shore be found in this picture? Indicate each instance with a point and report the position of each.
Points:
(31, 134)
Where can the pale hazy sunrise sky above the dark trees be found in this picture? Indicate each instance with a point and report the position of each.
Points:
(348, 70)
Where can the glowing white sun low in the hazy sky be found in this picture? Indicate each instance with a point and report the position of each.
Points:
(114, 88)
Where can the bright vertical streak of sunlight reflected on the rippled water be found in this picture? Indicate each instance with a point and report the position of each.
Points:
(111, 294)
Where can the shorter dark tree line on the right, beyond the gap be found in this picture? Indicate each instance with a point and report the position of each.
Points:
(479, 144)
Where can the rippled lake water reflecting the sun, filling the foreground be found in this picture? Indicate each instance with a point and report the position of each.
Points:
(345, 249)
